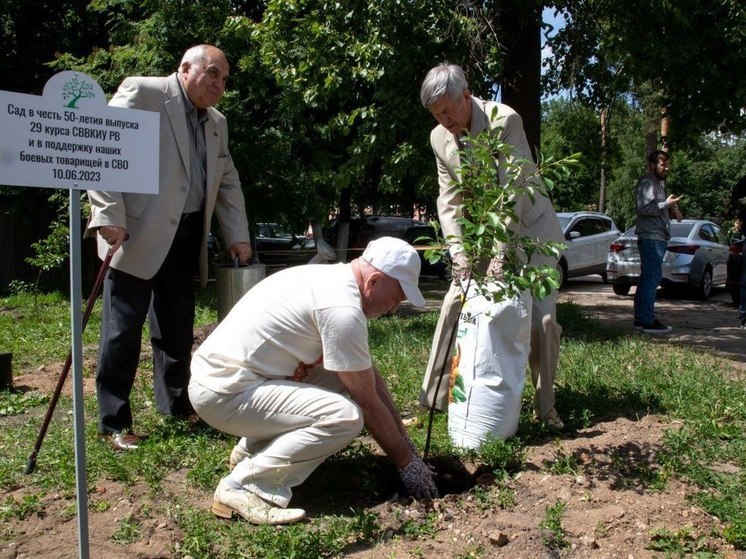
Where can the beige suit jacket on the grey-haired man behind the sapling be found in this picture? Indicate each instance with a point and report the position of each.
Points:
(537, 219)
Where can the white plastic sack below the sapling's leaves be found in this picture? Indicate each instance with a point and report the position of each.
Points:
(488, 370)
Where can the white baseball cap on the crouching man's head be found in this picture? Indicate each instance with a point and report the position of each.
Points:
(398, 259)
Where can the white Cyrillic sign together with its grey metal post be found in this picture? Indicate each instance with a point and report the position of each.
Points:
(69, 138)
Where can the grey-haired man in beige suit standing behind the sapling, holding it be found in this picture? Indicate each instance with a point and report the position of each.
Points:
(445, 93)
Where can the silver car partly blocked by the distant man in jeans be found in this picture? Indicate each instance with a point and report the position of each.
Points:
(697, 257)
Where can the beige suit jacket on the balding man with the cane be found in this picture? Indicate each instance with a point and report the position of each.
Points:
(151, 220)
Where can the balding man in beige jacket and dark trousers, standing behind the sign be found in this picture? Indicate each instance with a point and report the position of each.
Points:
(152, 273)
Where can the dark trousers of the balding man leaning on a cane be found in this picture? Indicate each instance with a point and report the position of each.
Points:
(167, 299)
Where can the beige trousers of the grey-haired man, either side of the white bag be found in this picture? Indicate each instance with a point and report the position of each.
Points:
(543, 358)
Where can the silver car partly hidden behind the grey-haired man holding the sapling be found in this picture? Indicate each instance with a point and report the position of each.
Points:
(588, 236)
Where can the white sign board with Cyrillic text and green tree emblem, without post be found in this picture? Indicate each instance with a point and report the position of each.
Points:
(70, 138)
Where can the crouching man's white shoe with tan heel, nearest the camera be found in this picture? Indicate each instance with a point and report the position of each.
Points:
(228, 501)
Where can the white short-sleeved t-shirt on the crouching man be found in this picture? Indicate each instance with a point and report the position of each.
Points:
(293, 317)
